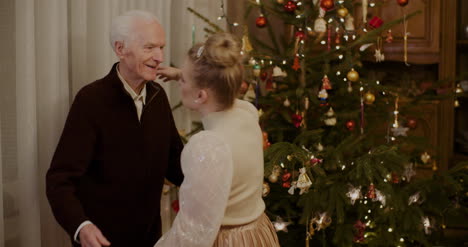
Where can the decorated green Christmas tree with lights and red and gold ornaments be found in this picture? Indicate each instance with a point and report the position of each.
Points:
(339, 155)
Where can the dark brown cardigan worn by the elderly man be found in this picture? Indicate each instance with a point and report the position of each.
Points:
(109, 167)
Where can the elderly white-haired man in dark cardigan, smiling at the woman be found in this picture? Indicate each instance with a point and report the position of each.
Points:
(118, 144)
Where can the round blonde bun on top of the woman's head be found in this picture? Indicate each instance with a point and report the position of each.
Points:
(222, 50)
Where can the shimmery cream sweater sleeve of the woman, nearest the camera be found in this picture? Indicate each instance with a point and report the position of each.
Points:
(203, 196)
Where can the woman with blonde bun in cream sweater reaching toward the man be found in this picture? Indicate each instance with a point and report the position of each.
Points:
(221, 196)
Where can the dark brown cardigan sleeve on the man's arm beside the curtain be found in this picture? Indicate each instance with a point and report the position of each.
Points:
(70, 161)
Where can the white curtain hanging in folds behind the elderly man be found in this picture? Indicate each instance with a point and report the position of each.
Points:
(49, 49)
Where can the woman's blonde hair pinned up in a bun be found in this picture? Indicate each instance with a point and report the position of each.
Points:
(218, 66)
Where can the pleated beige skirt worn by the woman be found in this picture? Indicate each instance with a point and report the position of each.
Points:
(259, 233)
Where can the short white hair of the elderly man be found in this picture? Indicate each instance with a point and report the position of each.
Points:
(122, 25)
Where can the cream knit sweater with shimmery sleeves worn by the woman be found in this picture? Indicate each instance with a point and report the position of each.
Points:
(223, 168)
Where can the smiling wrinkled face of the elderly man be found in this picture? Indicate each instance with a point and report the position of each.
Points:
(144, 52)
